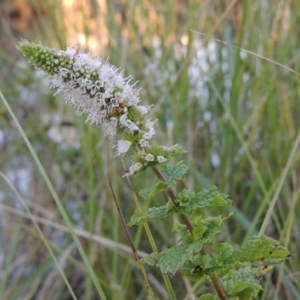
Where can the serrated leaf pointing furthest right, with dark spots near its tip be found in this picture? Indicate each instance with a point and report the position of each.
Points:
(261, 250)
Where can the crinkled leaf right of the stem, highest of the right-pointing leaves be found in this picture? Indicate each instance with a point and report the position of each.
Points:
(189, 201)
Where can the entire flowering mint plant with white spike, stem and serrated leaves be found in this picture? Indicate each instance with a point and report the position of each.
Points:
(100, 90)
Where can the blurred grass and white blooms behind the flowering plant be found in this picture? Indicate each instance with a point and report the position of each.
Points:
(236, 114)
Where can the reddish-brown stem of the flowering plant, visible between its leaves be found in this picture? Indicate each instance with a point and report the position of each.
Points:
(214, 277)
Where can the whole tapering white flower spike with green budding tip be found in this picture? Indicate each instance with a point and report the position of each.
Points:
(100, 90)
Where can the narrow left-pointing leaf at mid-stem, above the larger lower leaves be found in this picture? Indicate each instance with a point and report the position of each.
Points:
(161, 212)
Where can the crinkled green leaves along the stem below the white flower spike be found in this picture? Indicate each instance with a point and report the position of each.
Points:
(240, 270)
